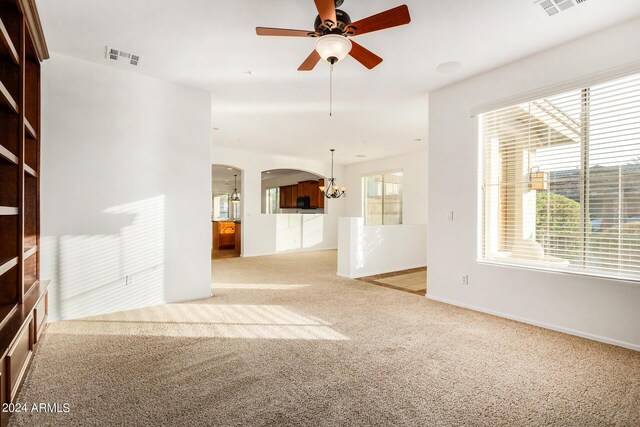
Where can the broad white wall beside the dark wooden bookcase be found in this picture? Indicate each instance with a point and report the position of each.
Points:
(126, 188)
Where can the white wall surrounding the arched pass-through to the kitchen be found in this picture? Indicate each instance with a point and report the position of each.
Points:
(264, 234)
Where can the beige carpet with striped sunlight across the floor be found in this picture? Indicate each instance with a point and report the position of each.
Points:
(285, 342)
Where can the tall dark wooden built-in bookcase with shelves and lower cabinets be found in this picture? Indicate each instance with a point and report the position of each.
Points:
(23, 297)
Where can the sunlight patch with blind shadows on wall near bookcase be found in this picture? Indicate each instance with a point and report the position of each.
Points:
(119, 266)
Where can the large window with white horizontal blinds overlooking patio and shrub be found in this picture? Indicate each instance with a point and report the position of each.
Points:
(560, 182)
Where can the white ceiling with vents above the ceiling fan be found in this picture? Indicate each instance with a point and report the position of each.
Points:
(211, 44)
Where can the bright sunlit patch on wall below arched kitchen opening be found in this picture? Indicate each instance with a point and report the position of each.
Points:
(298, 231)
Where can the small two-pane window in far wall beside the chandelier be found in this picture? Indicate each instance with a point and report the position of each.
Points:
(382, 198)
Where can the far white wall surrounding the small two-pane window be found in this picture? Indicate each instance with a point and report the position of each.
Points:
(414, 198)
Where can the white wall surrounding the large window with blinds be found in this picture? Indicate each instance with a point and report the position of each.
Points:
(606, 310)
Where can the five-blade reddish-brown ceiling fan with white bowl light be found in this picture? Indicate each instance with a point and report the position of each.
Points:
(334, 30)
